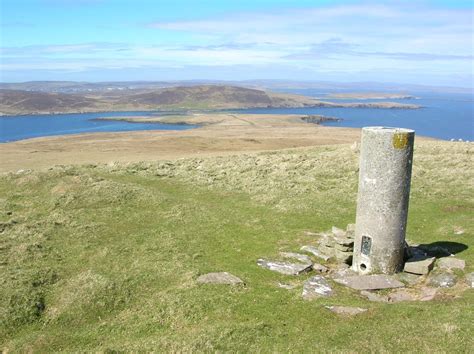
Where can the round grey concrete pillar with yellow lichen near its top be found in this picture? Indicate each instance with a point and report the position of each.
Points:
(382, 203)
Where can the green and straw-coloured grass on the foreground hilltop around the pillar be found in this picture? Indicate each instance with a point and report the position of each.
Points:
(104, 258)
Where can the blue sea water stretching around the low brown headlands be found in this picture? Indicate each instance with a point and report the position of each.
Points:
(444, 116)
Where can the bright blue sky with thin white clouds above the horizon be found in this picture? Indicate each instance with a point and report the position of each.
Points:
(417, 42)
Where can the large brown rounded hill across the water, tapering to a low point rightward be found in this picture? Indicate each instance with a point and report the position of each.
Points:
(199, 97)
